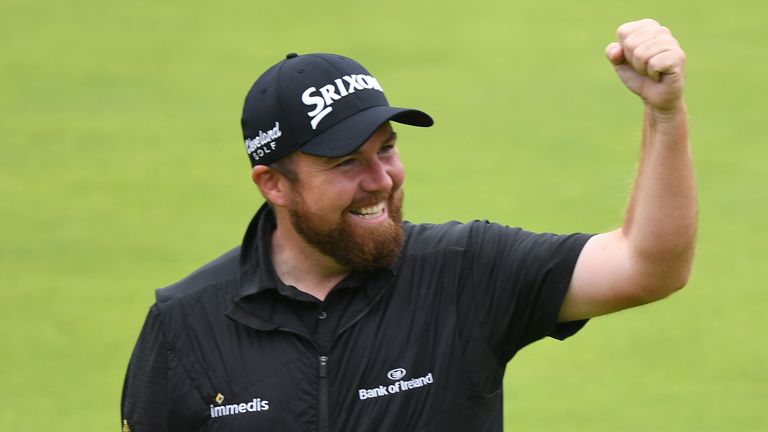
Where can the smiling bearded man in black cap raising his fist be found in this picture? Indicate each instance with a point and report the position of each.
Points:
(335, 315)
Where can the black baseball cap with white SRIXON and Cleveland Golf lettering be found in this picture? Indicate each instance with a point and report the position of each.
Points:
(321, 104)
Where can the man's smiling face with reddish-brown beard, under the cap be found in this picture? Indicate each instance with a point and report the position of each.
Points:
(349, 208)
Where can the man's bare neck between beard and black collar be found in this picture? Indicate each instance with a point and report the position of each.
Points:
(299, 264)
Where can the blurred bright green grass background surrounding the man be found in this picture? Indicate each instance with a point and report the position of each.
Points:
(122, 168)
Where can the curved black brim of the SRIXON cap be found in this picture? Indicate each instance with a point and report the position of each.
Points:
(349, 134)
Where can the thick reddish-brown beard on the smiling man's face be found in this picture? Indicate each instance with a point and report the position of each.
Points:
(352, 246)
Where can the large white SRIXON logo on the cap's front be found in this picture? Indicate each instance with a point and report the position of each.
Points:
(345, 85)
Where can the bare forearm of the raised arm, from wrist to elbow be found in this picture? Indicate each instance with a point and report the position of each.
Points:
(660, 222)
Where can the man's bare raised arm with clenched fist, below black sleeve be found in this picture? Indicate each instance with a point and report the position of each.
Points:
(650, 256)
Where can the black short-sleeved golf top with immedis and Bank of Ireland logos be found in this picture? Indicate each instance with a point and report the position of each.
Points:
(419, 347)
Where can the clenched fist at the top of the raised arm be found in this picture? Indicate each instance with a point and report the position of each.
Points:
(651, 63)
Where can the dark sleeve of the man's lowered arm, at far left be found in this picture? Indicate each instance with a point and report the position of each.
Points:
(145, 397)
